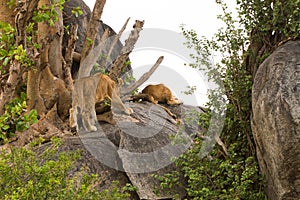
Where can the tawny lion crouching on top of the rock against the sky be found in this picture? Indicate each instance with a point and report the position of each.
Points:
(160, 94)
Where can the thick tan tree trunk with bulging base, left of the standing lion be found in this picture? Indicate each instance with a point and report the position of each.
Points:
(41, 92)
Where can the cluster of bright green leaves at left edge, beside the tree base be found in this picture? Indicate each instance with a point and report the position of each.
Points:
(16, 118)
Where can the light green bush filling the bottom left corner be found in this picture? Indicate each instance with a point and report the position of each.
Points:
(26, 175)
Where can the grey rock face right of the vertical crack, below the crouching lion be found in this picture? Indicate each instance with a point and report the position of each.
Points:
(146, 148)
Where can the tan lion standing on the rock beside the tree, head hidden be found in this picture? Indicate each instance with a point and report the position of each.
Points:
(87, 92)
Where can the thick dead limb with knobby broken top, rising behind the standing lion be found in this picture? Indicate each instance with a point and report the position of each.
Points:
(119, 64)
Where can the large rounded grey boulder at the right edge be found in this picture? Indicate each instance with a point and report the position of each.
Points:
(276, 121)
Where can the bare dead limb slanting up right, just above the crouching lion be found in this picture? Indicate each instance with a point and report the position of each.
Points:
(143, 78)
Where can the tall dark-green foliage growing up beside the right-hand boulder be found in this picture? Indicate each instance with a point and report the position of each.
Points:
(244, 43)
